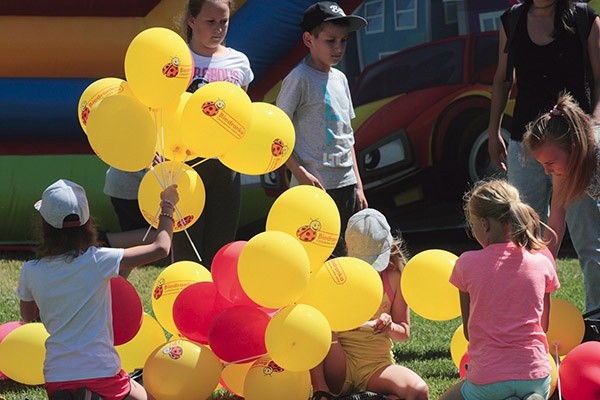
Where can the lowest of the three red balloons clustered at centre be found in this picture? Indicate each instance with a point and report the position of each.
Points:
(238, 334)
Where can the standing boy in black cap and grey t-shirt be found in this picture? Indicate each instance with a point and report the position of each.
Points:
(317, 99)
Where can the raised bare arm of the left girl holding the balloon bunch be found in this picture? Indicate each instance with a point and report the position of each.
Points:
(160, 247)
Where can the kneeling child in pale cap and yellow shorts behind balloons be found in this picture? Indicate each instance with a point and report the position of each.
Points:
(361, 360)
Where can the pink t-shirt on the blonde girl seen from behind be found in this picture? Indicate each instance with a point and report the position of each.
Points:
(506, 285)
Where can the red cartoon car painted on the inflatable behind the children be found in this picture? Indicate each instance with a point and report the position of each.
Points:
(420, 129)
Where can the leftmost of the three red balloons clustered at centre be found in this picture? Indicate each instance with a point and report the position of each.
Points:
(194, 309)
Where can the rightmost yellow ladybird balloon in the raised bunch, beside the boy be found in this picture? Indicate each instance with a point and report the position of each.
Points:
(268, 144)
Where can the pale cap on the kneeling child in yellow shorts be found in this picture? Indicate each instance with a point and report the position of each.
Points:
(368, 237)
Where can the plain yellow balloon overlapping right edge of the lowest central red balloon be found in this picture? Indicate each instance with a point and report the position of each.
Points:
(298, 337)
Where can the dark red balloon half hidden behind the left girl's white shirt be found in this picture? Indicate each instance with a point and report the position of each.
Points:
(127, 310)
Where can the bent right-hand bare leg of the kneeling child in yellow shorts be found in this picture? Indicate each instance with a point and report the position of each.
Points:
(399, 381)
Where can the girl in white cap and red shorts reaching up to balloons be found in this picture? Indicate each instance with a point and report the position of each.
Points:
(67, 286)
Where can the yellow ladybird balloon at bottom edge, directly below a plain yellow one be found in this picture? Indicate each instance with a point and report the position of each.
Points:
(267, 380)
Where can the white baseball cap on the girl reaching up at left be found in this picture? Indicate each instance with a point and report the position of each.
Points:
(61, 199)
